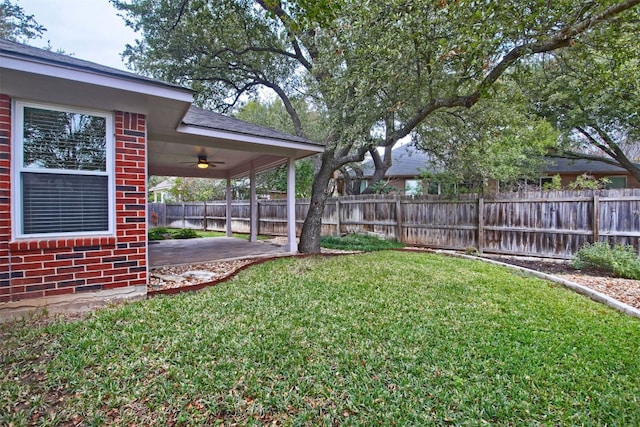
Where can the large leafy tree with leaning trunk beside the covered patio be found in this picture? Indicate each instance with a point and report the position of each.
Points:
(374, 71)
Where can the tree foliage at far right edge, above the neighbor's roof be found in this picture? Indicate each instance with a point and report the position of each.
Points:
(590, 93)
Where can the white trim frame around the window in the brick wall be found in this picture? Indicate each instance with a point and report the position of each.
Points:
(17, 167)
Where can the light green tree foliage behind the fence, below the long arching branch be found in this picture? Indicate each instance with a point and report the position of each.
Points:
(498, 139)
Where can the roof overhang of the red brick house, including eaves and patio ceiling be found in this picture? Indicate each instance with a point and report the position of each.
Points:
(173, 146)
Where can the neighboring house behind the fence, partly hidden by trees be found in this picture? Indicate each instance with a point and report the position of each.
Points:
(409, 163)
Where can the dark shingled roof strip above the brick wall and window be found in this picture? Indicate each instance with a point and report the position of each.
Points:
(10, 48)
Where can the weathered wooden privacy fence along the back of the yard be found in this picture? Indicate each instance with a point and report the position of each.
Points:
(550, 224)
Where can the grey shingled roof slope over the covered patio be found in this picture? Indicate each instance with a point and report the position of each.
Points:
(212, 120)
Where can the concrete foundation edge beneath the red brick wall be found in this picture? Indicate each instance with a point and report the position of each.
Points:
(70, 303)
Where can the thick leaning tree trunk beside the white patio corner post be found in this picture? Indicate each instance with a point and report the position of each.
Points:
(312, 227)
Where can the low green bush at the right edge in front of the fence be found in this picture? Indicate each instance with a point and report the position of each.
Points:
(621, 260)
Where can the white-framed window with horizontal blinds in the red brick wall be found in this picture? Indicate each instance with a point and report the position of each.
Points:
(63, 171)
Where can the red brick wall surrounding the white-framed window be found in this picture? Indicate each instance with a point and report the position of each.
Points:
(47, 267)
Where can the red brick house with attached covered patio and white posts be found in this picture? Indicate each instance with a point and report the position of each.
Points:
(77, 143)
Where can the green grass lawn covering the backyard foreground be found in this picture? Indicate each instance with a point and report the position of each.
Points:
(382, 338)
